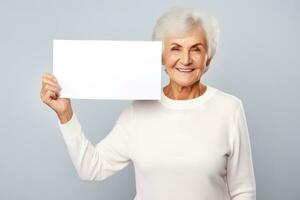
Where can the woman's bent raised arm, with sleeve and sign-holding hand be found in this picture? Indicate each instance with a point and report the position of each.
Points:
(92, 162)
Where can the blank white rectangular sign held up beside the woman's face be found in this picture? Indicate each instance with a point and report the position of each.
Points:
(92, 69)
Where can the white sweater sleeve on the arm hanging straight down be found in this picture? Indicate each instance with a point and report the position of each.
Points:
(240, 172)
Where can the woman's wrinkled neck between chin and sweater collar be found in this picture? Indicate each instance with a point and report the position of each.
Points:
(178, 92)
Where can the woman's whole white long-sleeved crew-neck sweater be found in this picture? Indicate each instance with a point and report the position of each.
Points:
(195, 149)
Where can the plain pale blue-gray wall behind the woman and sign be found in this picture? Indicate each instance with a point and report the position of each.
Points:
(257, 61)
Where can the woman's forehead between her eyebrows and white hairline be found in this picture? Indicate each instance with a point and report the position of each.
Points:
(190, 37)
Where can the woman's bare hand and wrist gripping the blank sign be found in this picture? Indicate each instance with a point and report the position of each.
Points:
(50, 93)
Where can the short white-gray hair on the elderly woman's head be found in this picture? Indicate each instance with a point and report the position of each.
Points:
(178, 20)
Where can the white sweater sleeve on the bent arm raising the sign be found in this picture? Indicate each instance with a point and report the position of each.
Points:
(110, 155)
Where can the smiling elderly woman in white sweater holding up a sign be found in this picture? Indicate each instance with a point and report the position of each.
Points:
(193, 144)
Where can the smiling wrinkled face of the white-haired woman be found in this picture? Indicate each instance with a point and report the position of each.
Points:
(185, 57)
